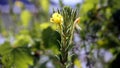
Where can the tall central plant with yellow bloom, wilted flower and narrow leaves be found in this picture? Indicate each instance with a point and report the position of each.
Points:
(66, 20)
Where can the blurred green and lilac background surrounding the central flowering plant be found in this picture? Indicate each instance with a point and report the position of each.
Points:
(29, 40)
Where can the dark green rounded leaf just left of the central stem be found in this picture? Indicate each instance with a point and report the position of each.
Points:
(50, 37)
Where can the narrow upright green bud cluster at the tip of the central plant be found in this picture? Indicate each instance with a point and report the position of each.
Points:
(69, 16)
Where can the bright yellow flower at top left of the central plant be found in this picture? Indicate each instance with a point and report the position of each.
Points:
(56, 18)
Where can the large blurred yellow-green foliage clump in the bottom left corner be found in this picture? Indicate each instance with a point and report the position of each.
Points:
(18, 57)
